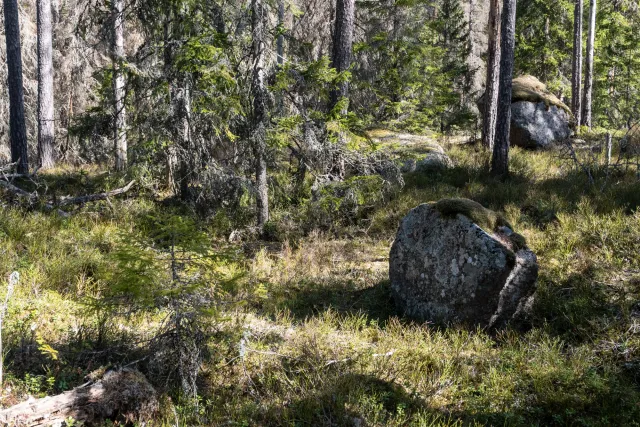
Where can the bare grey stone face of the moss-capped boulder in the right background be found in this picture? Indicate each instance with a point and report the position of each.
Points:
(534, 125)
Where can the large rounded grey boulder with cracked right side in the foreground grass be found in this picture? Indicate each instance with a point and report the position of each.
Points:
(456, 262)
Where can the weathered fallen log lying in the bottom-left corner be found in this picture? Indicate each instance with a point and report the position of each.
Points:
(121, 395)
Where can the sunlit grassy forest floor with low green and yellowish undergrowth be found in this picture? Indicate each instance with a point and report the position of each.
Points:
(316, 339)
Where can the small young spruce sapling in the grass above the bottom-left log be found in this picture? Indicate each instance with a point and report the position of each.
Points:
(171, 269)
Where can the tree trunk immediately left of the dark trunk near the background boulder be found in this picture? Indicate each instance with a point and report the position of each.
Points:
(493, 74)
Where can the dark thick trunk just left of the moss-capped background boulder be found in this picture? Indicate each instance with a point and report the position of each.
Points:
(500, 158)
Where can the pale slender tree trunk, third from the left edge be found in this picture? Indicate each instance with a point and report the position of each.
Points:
(120, 131)
